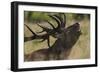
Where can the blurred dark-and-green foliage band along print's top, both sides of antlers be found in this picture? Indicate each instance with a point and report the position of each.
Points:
(35, 17)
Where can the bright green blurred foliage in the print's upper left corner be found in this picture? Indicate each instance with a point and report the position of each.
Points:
(35, 16)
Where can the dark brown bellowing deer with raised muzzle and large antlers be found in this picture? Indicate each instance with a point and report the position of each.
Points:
(66, 39)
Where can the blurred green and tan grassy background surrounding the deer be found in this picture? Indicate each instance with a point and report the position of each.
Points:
(81, 50)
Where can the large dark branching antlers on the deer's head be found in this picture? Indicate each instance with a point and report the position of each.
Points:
(61, 21)
